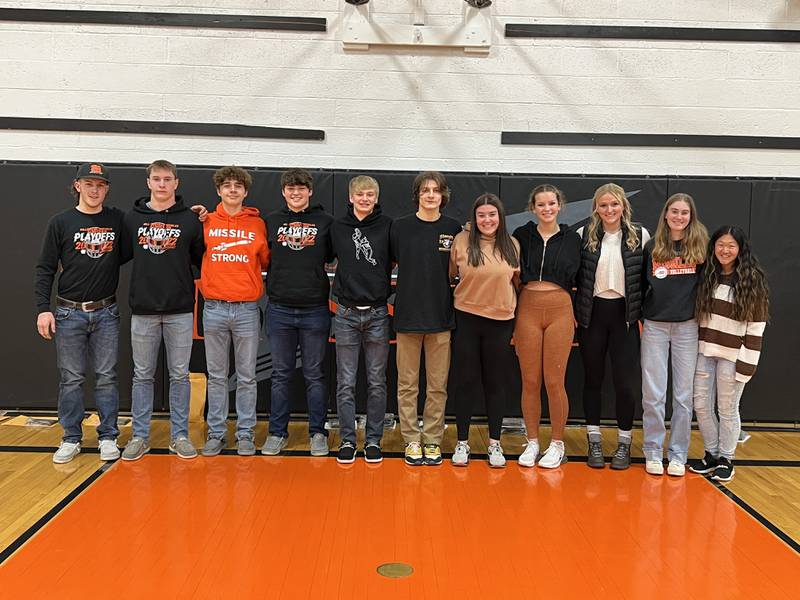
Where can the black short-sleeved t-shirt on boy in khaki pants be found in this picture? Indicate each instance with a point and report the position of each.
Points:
(424, 299)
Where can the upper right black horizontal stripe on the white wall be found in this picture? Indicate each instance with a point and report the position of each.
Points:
(627, 32)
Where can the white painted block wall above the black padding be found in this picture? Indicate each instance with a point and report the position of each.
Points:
(410, 108)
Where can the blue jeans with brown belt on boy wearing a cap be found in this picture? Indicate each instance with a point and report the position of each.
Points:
(93, 335)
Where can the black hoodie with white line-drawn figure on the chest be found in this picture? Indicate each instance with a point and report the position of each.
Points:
(364, 269)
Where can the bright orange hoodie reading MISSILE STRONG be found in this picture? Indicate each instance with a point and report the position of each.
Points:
(236, 253)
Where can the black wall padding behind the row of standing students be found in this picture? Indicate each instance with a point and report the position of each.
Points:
(768, 209)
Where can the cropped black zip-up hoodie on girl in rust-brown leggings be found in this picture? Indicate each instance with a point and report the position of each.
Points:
(556, 260)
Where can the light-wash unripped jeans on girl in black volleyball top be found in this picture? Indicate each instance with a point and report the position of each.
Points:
(659, 340)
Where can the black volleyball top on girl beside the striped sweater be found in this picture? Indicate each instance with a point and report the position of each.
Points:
(669, 289)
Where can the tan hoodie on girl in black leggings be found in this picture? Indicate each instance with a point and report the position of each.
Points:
(488, 290)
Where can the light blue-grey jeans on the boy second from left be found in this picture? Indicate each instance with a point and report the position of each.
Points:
(146, 334)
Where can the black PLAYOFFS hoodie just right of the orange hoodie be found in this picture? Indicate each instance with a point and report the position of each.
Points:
(300, 245)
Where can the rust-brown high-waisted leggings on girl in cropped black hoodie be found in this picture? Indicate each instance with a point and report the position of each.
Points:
(543, 335)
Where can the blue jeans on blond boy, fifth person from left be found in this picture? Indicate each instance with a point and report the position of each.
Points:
(354, 328)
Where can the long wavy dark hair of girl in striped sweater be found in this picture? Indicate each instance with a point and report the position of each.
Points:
(750, 290)
